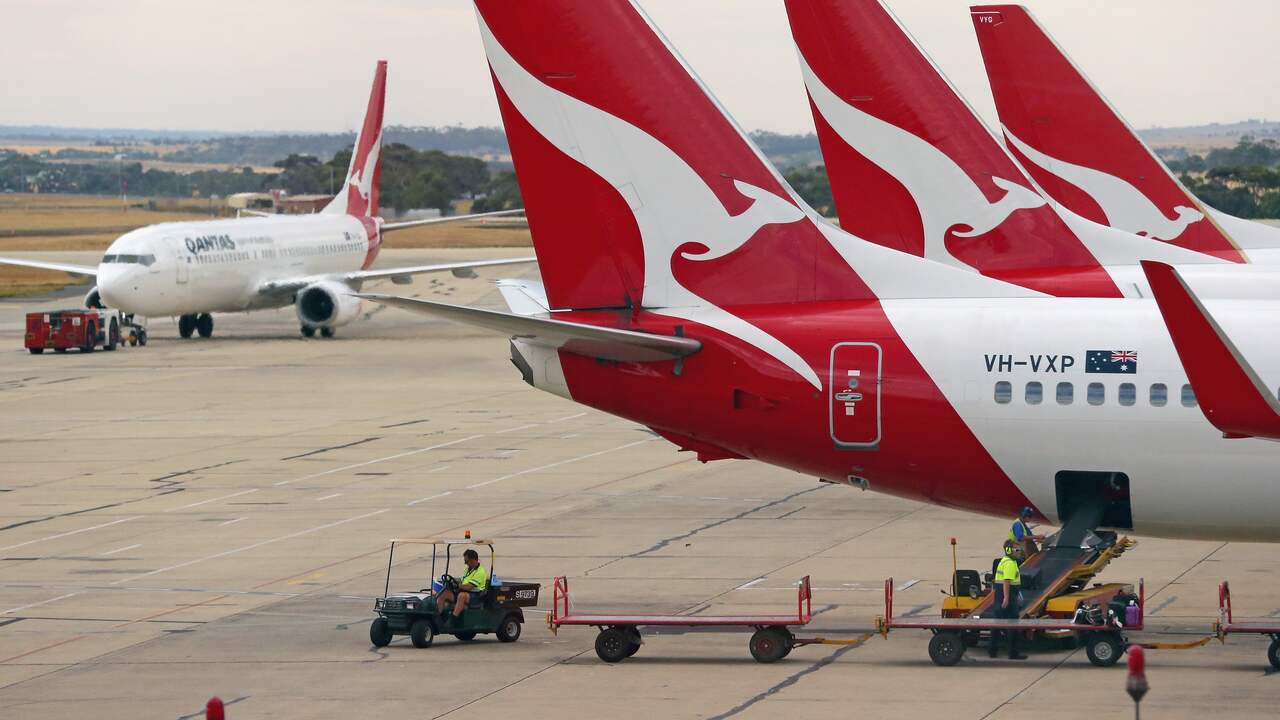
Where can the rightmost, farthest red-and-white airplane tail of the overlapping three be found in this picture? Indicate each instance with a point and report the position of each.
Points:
(1084, 153)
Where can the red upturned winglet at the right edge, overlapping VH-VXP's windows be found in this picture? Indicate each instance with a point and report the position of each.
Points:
(1231, 393)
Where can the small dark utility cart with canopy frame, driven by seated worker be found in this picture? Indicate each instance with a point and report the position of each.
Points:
(499, 610)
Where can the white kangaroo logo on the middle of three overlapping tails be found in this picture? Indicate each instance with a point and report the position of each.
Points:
(944, 194)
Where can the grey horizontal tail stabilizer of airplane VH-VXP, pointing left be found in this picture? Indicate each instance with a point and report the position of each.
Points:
(591, 341)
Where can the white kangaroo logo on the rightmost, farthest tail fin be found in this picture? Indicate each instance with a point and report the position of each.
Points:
(1124, 206)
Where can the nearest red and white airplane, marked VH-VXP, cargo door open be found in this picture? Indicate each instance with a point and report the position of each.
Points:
(689, 289)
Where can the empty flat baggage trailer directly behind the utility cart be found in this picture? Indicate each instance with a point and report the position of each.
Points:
(620, 635)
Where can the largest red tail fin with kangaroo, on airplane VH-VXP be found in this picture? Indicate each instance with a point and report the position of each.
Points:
(643, 194)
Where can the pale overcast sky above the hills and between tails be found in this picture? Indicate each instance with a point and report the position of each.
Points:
(277, 66)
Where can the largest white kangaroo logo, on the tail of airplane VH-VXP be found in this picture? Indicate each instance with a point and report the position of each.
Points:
(673, 206)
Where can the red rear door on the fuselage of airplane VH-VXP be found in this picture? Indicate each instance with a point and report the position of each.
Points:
(854, 403)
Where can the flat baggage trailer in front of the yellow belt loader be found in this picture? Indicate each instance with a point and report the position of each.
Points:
(1104, 639)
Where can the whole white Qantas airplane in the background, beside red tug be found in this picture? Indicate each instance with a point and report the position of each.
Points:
(310, 262)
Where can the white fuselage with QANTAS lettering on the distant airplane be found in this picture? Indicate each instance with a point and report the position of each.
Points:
(225, 266)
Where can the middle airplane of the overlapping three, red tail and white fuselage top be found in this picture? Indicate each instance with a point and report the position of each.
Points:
(913, 167)
